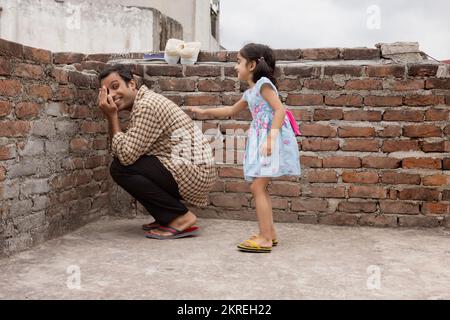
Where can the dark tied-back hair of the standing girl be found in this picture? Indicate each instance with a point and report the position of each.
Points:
(264, 58)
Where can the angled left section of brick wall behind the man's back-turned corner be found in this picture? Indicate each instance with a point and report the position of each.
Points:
(53, 148)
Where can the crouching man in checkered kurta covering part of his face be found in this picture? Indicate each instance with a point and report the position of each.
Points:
(147, 161)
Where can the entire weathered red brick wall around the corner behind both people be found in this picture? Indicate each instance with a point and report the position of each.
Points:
(374, 150)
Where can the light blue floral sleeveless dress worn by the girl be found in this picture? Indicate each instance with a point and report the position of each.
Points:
(285, 158)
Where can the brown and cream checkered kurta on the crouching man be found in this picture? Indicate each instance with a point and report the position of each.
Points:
(159, 127)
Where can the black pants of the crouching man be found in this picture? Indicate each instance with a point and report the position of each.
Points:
(150, 183)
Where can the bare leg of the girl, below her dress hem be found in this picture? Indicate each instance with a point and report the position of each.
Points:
(263, 211)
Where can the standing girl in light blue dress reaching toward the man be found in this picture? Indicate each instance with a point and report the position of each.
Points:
(271, 149)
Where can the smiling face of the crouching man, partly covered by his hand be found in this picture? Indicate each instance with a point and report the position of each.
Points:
(122, 94)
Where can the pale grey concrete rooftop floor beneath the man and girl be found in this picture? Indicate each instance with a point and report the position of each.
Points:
(311, 262)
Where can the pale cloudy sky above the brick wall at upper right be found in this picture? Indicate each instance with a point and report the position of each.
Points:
(336, 23)
